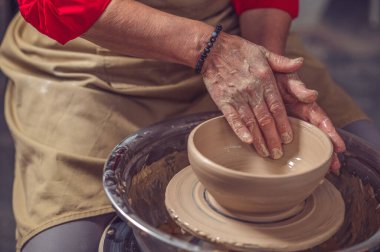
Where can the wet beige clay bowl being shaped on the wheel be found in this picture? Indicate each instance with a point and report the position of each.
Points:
(243, 182)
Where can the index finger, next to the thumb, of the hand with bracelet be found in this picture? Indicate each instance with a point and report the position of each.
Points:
(278, 111)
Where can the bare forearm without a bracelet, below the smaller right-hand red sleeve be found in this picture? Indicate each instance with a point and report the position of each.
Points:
(266, 27)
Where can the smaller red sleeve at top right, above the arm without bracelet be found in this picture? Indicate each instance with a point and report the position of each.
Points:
(289, 6)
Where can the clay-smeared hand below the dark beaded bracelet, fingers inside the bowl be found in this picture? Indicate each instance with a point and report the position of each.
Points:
(239, 77)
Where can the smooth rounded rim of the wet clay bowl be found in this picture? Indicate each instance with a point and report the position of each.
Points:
(220, 168)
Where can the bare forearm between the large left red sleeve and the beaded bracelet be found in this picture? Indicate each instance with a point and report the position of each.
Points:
(134, 29)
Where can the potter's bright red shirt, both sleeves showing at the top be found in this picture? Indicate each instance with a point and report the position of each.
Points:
(66, 20)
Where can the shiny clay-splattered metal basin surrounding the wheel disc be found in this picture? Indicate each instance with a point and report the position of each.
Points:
(139, 169)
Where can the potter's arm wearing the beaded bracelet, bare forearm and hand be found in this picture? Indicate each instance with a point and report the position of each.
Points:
(238, 74)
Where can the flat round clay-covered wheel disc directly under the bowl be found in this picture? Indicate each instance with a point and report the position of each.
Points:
(190, 206)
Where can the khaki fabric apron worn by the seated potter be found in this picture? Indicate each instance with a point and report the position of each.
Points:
(68, 106)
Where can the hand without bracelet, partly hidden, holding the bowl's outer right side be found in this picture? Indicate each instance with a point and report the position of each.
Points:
(301, 102)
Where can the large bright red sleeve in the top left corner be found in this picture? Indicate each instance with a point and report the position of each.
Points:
(62, 20)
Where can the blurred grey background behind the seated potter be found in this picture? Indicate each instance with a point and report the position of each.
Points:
(344, 34)
